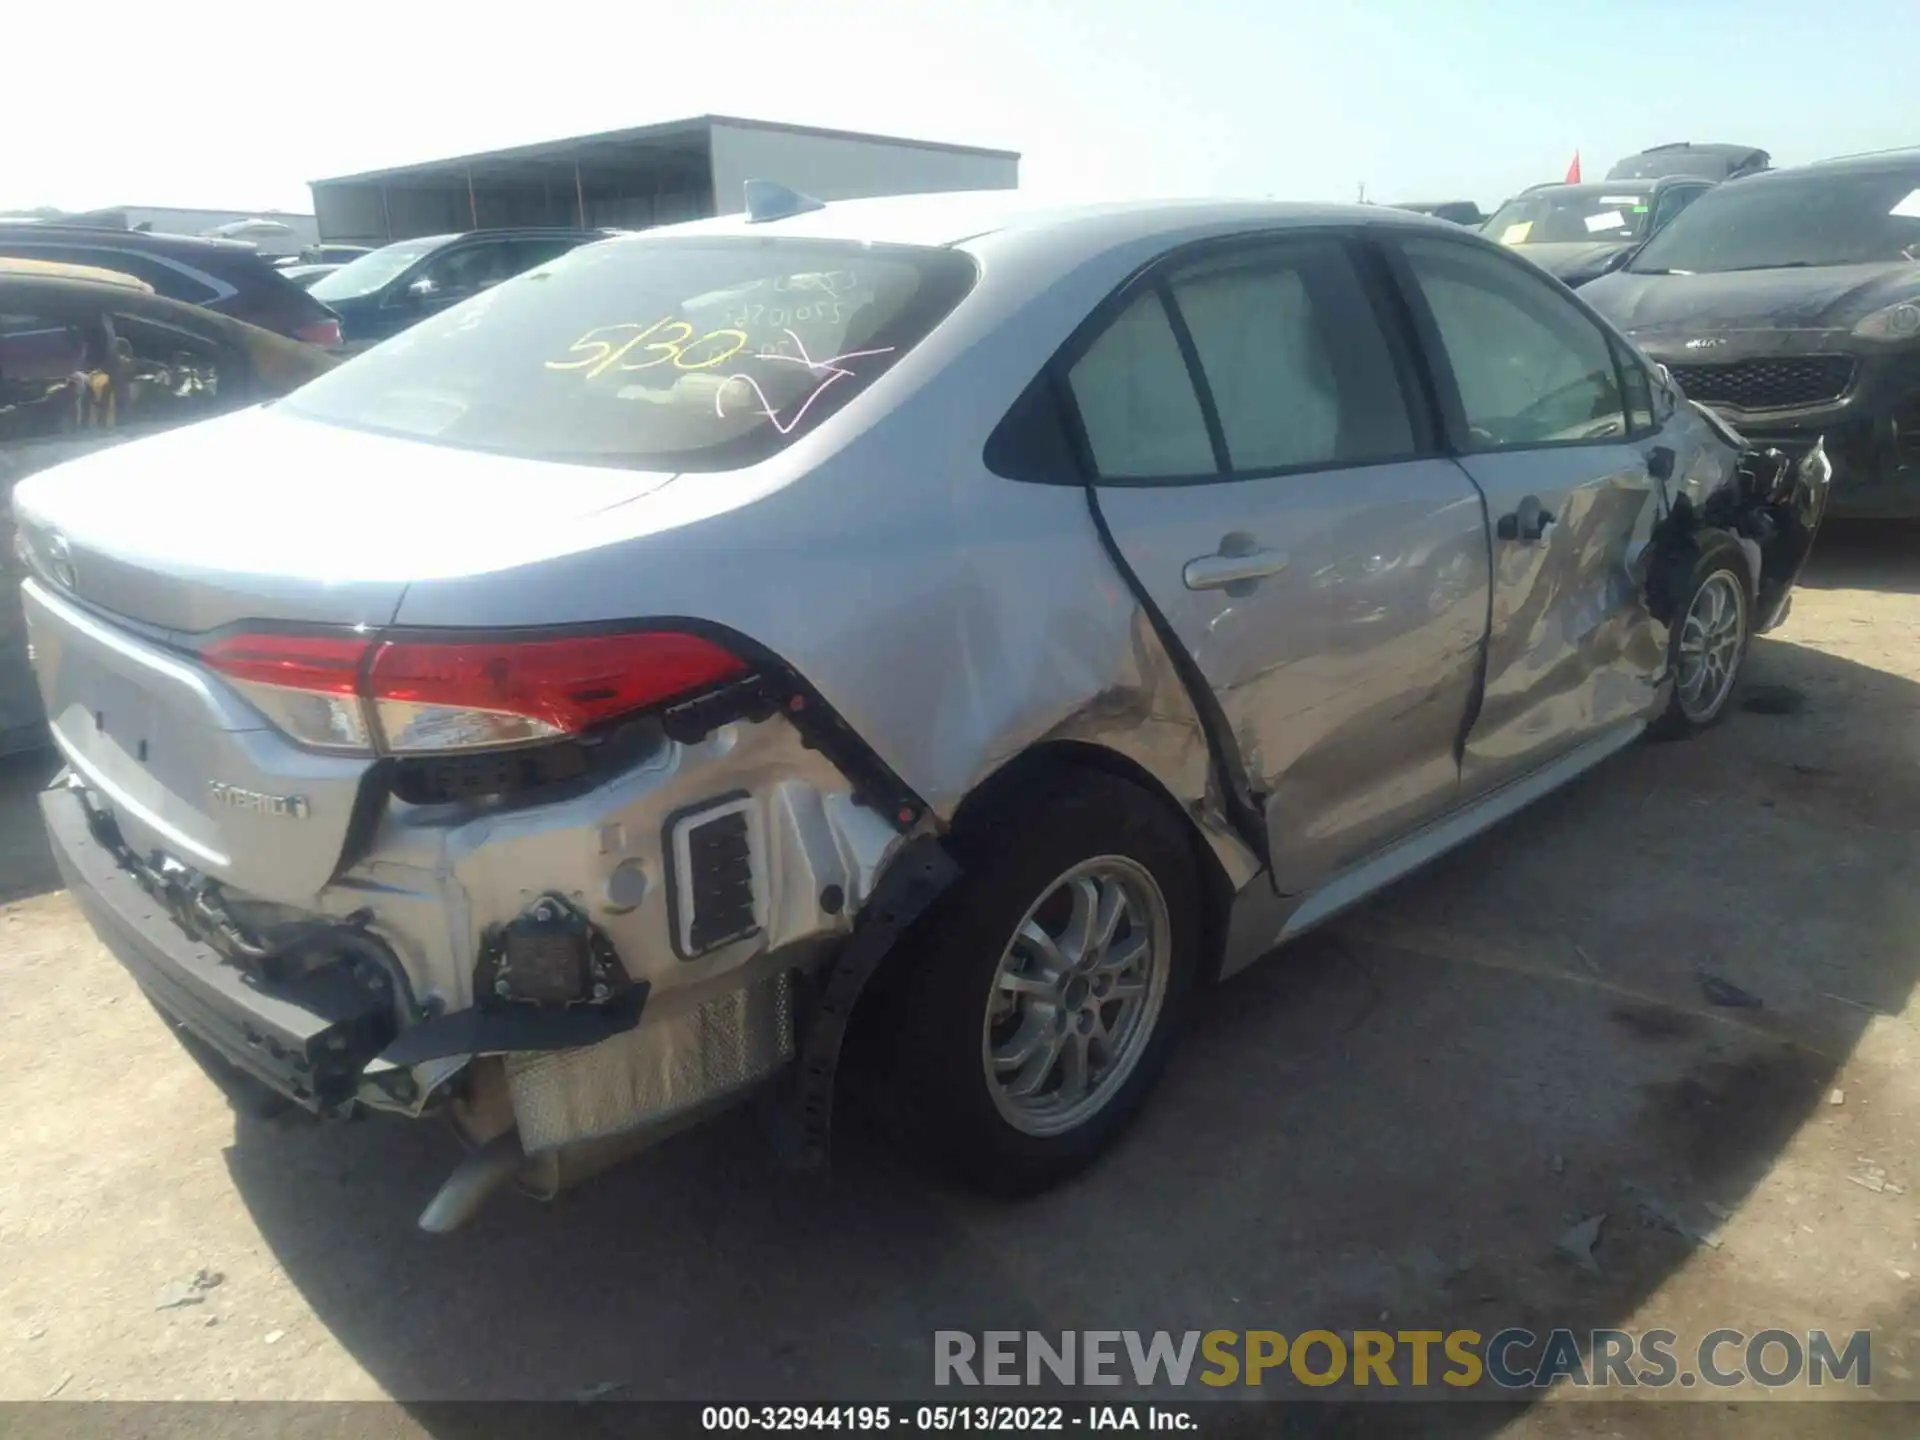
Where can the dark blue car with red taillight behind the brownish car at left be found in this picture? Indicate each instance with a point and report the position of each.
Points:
(222, 276)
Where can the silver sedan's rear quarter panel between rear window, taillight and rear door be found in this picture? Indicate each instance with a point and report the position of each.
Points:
(953, 619)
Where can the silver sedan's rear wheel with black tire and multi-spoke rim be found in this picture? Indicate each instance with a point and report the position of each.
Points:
(1044, 994)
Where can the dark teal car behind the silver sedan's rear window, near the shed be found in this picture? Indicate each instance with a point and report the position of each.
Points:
(395, 287)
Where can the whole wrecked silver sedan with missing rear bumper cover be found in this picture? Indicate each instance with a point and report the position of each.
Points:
(928, 621)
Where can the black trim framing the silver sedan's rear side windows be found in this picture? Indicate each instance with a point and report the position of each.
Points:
(1385, 304)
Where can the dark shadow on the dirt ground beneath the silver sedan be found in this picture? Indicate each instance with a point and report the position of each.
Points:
(1389, 1128)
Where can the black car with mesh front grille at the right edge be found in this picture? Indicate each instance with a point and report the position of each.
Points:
(1790, 302)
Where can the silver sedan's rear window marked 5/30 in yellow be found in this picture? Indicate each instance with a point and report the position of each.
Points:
(652, 354)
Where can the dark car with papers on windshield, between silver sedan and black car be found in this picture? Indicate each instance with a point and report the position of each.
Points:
(1581, 231)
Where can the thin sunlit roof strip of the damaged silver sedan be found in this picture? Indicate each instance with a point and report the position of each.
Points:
(957, 216)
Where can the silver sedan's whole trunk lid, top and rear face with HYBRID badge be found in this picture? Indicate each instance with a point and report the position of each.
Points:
(262, 519)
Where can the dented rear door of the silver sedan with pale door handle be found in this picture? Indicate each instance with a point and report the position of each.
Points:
(1272, 487)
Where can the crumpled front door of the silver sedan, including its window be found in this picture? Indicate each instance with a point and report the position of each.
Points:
(1548, 433)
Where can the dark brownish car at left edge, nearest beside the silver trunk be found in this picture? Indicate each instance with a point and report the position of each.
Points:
(87, 360)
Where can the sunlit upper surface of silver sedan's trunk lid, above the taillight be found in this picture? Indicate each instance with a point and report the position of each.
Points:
(270, 517)
